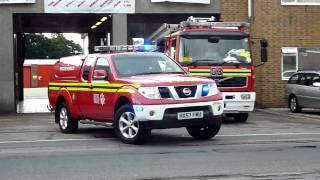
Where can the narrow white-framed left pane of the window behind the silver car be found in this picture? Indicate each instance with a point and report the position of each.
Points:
(289, 62)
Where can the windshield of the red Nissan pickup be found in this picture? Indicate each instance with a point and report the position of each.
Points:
(144, 63)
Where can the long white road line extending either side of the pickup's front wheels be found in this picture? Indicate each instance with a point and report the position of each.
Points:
(95, 139)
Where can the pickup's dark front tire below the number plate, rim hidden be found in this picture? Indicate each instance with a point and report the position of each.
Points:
(205, 132)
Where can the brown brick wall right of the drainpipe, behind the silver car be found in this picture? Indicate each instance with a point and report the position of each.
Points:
(283, 26)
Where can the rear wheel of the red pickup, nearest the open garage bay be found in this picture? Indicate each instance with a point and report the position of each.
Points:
(64, 119)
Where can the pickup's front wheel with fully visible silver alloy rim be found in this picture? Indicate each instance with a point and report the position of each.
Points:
(128, 130)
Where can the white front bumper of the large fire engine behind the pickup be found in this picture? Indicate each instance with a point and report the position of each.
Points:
(235, 103)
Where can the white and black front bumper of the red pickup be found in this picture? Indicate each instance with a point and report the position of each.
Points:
(165, 115)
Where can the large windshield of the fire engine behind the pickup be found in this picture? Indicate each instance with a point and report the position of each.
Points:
(222, 49)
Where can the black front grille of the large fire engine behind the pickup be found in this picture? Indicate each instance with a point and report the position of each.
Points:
(231, 82)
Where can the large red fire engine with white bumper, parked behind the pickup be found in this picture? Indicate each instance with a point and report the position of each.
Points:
(217, 50)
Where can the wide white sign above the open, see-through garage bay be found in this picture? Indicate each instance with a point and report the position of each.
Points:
(89, 6)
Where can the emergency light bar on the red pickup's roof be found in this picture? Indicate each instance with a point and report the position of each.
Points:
(125, 48)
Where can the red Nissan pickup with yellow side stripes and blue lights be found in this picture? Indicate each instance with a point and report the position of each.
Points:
(134, 92)
